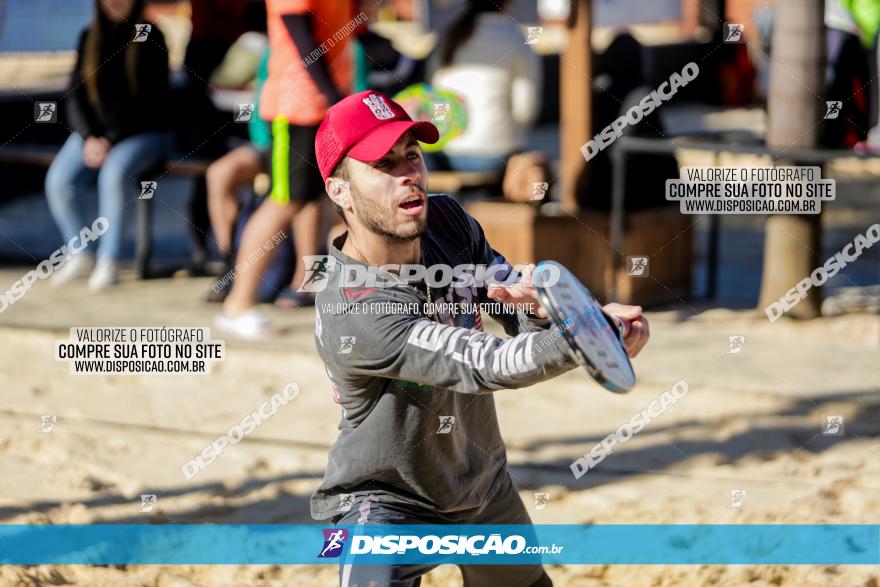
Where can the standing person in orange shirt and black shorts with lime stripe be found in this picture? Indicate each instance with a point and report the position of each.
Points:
(310, 69)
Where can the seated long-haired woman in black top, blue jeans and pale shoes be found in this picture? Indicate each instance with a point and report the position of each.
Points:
(116, 105)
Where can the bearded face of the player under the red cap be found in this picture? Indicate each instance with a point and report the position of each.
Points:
(388, 196)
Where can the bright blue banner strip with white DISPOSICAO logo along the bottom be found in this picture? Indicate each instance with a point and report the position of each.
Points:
(686, 544)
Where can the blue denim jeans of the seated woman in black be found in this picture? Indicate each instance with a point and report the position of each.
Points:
(117, 181)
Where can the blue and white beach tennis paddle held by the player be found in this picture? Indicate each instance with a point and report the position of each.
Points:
(593, 336)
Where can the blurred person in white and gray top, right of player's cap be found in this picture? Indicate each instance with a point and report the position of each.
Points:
(484, 59)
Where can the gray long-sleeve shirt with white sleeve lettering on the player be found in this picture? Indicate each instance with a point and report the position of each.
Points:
(418, 418)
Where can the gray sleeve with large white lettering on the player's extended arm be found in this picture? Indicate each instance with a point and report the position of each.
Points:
(376, 342)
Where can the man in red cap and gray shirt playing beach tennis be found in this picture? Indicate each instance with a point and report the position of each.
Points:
(419, 440)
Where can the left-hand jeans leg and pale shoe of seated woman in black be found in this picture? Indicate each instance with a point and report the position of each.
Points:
(67, 181)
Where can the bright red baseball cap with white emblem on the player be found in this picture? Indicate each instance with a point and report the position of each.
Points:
(365, 126)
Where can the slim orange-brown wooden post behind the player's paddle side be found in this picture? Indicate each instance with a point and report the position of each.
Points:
(576, 100)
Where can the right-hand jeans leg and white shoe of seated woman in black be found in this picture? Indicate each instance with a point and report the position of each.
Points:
(118, 186)
